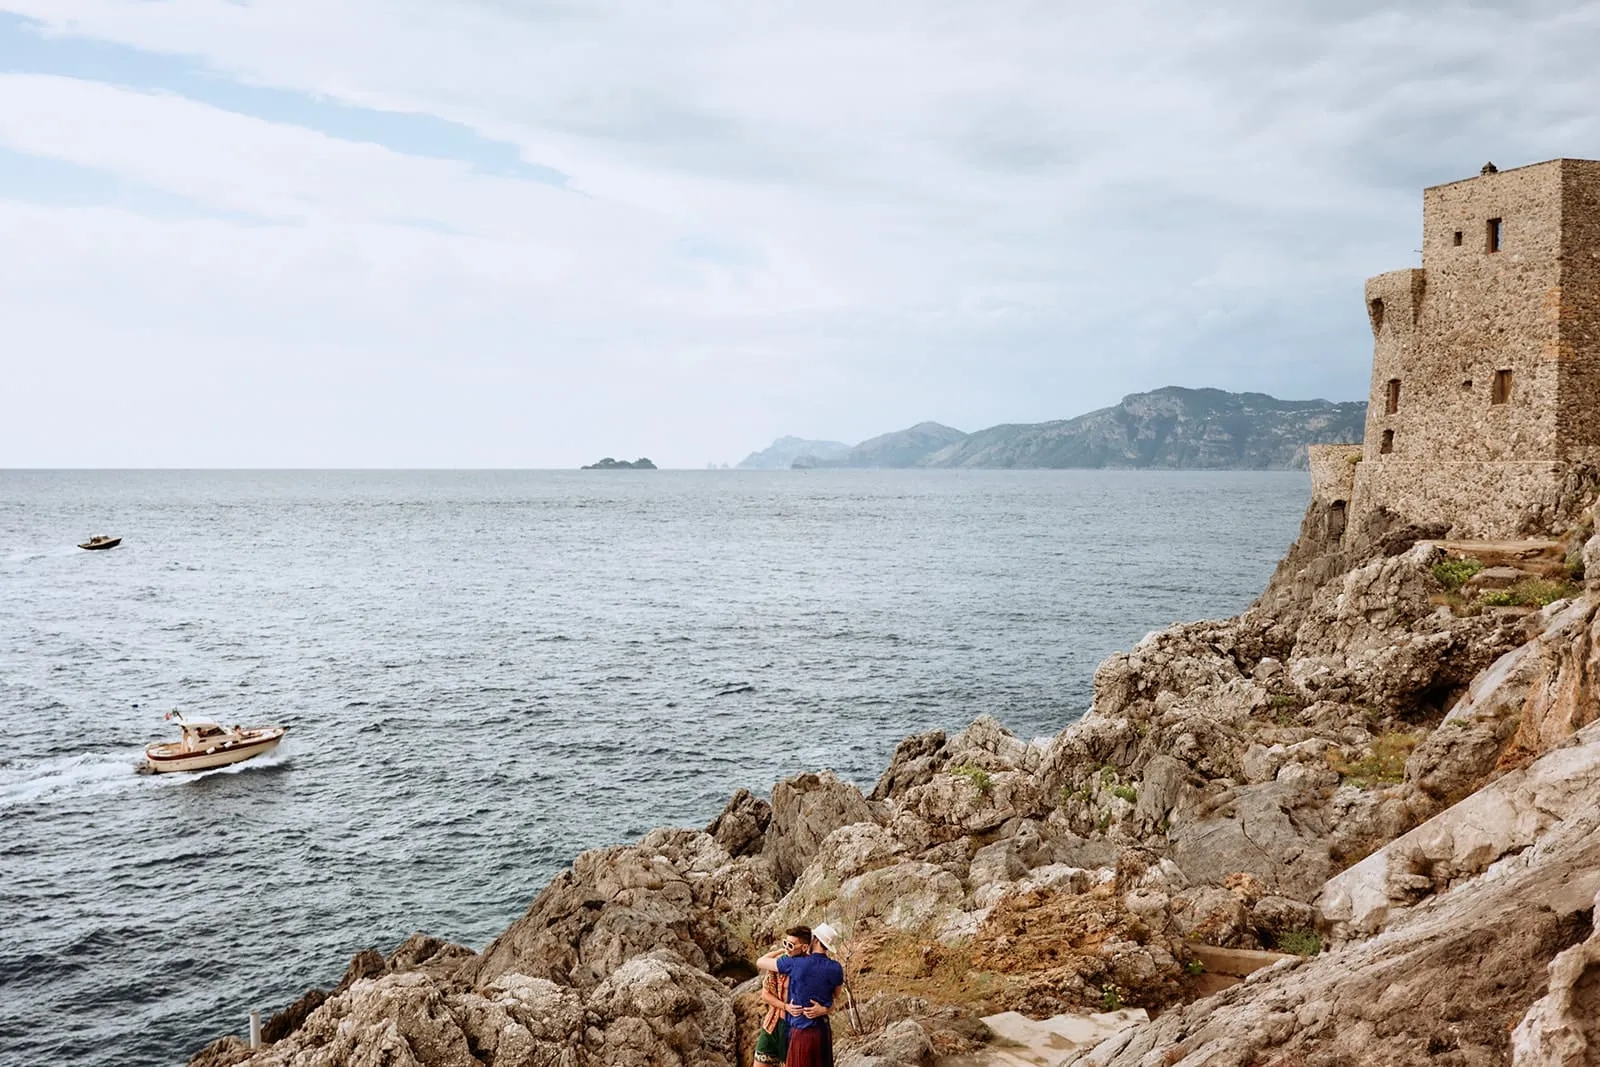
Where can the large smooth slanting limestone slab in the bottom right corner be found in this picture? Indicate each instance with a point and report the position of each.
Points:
(1447, 983)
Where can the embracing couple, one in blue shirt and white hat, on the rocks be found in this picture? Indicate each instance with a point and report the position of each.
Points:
(802, 981)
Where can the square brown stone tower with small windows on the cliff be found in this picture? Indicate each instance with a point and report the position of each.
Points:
(1486, 390)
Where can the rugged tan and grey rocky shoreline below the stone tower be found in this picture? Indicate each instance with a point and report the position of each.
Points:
(1388, 783)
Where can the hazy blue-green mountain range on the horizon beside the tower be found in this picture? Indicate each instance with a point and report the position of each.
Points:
(1191, 430)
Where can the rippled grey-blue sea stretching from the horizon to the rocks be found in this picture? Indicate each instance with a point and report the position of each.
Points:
(489, 673)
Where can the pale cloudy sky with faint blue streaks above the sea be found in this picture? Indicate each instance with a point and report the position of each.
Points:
(530, 234)
